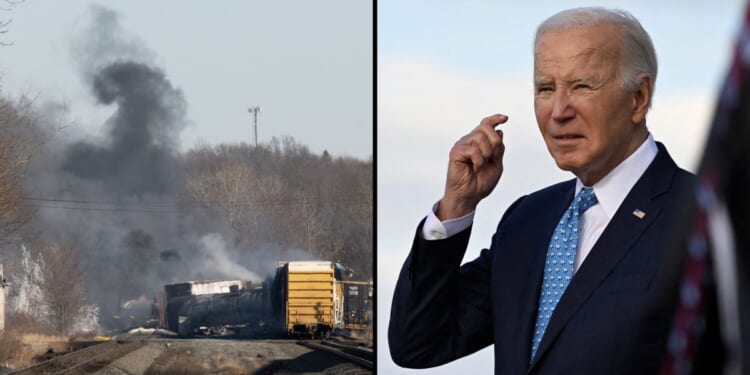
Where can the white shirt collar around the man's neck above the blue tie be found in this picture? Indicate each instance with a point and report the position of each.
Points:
(614, 187)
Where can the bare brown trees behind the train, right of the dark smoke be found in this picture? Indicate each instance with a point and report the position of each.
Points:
(282, 194)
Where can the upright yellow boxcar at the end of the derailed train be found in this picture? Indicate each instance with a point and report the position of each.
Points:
(304, 297)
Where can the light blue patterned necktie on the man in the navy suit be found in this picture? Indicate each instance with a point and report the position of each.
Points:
(561, 258)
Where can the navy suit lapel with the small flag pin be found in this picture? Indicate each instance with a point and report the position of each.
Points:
(618, 238)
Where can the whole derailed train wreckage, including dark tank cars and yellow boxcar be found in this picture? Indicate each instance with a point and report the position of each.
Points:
(303, 297)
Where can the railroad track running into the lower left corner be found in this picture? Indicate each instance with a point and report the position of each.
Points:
(83, 361)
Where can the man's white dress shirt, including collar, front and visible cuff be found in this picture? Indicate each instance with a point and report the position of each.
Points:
(610, 192)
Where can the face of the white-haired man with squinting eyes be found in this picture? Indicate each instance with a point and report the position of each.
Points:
(586, 117)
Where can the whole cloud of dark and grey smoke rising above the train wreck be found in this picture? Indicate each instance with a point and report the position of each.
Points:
(125, 182)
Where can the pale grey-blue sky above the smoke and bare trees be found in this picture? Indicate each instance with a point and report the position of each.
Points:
(307, 64)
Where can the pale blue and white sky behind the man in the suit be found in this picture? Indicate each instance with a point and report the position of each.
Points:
(444, 65)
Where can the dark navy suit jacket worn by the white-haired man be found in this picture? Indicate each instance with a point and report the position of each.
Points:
(613, 318)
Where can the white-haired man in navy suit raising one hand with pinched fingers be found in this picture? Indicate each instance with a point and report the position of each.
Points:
(571, 283)
